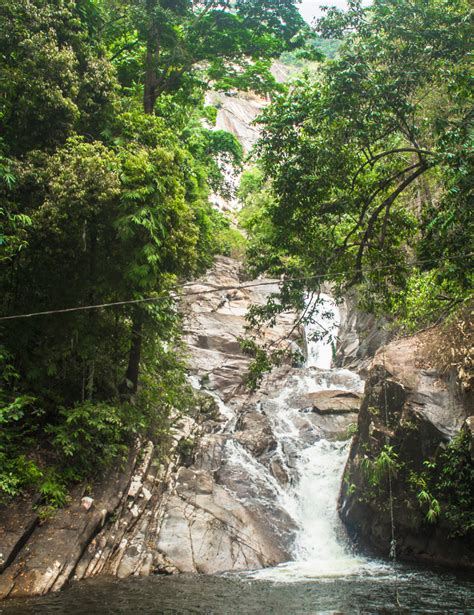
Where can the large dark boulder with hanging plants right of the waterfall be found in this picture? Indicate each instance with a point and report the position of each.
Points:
(408, 418)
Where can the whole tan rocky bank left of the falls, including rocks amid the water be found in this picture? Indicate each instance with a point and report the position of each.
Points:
(214, 501)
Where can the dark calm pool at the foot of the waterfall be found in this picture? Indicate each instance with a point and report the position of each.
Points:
(419, 591)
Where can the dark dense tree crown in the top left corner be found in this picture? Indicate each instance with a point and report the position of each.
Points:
(55, 78)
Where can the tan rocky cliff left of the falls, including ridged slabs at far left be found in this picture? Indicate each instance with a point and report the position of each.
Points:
(178, 511)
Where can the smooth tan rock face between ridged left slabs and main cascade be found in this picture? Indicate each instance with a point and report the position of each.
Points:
(221, 513)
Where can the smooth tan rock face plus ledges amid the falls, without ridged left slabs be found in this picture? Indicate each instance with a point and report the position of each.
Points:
(233, 493)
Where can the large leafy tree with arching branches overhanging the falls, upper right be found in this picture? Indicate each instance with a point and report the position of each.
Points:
(367, 166)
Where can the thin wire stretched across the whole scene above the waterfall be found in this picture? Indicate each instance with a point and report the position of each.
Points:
(213, 289)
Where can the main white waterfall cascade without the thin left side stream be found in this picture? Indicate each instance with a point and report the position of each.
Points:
(321, 548)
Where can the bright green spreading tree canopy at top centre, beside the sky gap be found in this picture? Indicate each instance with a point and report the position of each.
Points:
(176, 45)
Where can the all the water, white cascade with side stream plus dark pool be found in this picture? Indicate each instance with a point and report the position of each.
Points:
(325, 575)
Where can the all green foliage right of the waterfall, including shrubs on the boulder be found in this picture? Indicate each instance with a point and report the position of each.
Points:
(363, 183)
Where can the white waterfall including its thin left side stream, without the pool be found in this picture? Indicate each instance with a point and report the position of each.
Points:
(312, 461)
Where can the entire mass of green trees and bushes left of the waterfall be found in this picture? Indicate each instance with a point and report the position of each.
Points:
(106, 166)
